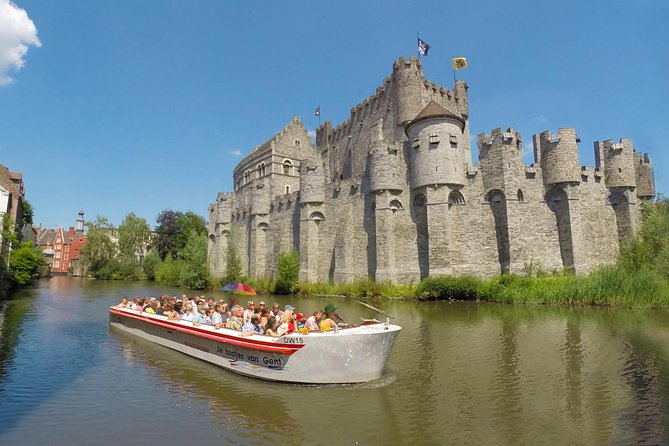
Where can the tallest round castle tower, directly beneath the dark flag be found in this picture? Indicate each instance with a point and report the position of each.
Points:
(408, 78)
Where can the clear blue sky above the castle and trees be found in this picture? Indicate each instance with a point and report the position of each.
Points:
(147, 105)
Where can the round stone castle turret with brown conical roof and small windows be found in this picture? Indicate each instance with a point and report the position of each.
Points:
(436, 141)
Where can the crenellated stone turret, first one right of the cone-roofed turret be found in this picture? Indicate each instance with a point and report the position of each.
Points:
(500, 159)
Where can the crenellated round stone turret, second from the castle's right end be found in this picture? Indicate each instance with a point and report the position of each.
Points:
(618, 160)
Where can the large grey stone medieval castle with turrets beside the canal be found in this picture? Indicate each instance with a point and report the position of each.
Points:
(392, 194)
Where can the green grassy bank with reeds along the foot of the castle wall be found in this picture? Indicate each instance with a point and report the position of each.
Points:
(639, 279)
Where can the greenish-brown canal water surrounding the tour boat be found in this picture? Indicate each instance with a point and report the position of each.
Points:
(460, 373)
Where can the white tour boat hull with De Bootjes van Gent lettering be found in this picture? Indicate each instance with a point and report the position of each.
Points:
(346, 355)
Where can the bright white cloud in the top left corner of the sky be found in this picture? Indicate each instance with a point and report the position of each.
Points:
(17, 33)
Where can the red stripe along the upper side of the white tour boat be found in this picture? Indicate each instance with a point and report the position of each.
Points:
(287, 349)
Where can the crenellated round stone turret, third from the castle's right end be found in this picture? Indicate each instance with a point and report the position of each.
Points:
(559, 156)
